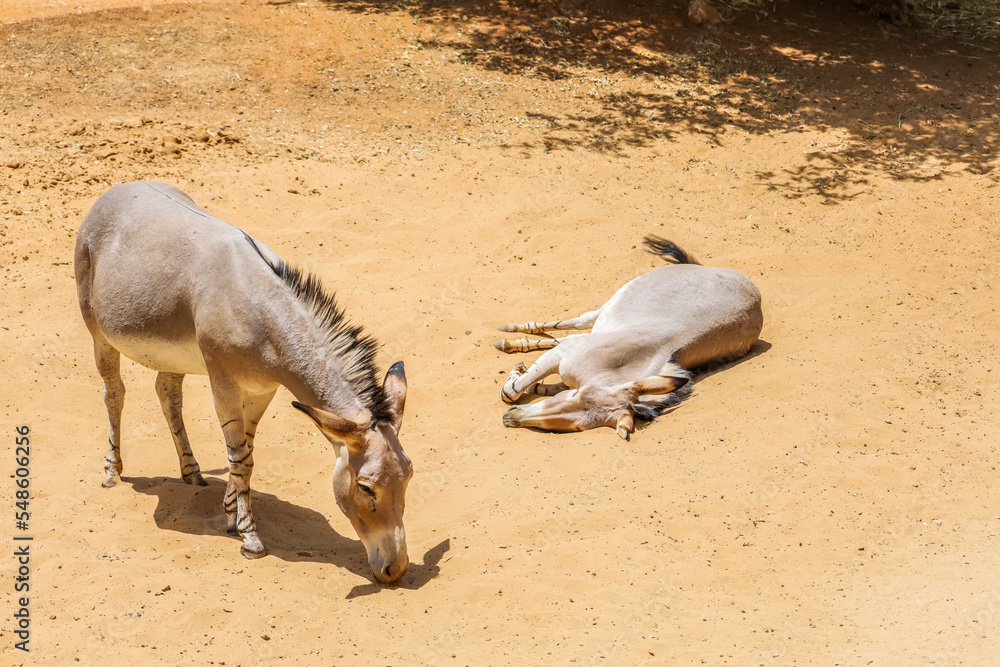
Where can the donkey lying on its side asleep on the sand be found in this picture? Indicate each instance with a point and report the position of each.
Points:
(643, 344)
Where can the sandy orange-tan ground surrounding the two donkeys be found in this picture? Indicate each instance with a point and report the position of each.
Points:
(450, 167)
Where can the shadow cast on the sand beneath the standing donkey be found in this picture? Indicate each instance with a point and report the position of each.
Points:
(291, 532)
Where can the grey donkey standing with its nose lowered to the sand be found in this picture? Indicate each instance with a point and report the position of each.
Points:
(181, 291)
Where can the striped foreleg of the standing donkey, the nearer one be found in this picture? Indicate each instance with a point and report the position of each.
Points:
(236, 502)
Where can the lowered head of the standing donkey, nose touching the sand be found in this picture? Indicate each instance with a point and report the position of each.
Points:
(370, 478)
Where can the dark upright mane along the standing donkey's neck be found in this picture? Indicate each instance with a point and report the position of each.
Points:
(355, 348)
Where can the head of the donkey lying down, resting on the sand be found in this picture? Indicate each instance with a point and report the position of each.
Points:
(591, 406)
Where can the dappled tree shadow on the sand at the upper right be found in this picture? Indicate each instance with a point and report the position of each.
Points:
(905, 105)
